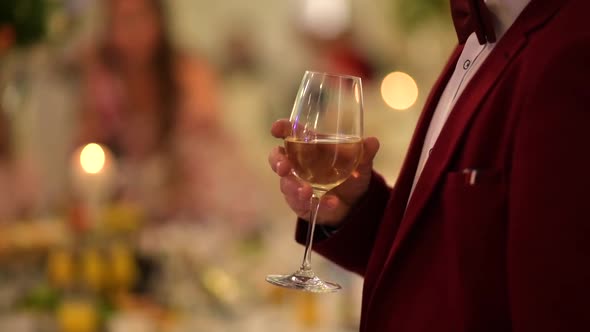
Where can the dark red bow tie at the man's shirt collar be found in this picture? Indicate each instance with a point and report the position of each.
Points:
(473, 16)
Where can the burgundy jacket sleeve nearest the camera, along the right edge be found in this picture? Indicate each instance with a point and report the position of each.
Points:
(549, 200)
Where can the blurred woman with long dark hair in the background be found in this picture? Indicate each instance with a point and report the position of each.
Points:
(156, 109)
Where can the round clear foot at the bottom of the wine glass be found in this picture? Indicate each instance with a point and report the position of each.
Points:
(303, 281)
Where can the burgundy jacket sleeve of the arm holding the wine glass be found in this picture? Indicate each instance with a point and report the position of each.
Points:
(350, 245)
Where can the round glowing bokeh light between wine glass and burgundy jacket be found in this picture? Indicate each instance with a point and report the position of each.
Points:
(399, 90)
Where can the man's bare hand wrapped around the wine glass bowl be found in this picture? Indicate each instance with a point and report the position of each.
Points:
(337, 202)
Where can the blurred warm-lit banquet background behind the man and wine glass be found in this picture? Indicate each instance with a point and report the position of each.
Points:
(135, 193)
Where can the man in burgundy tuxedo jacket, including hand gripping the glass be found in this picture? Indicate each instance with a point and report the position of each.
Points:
(488, 225)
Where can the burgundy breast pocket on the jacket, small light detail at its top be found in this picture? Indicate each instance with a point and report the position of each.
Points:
(474, 212)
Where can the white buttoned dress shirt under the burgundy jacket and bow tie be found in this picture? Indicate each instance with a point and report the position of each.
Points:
(473, 55)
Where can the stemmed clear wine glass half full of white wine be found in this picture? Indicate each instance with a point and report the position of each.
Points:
(324, 147)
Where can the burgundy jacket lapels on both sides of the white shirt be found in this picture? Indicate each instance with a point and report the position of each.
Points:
(537, 13)
